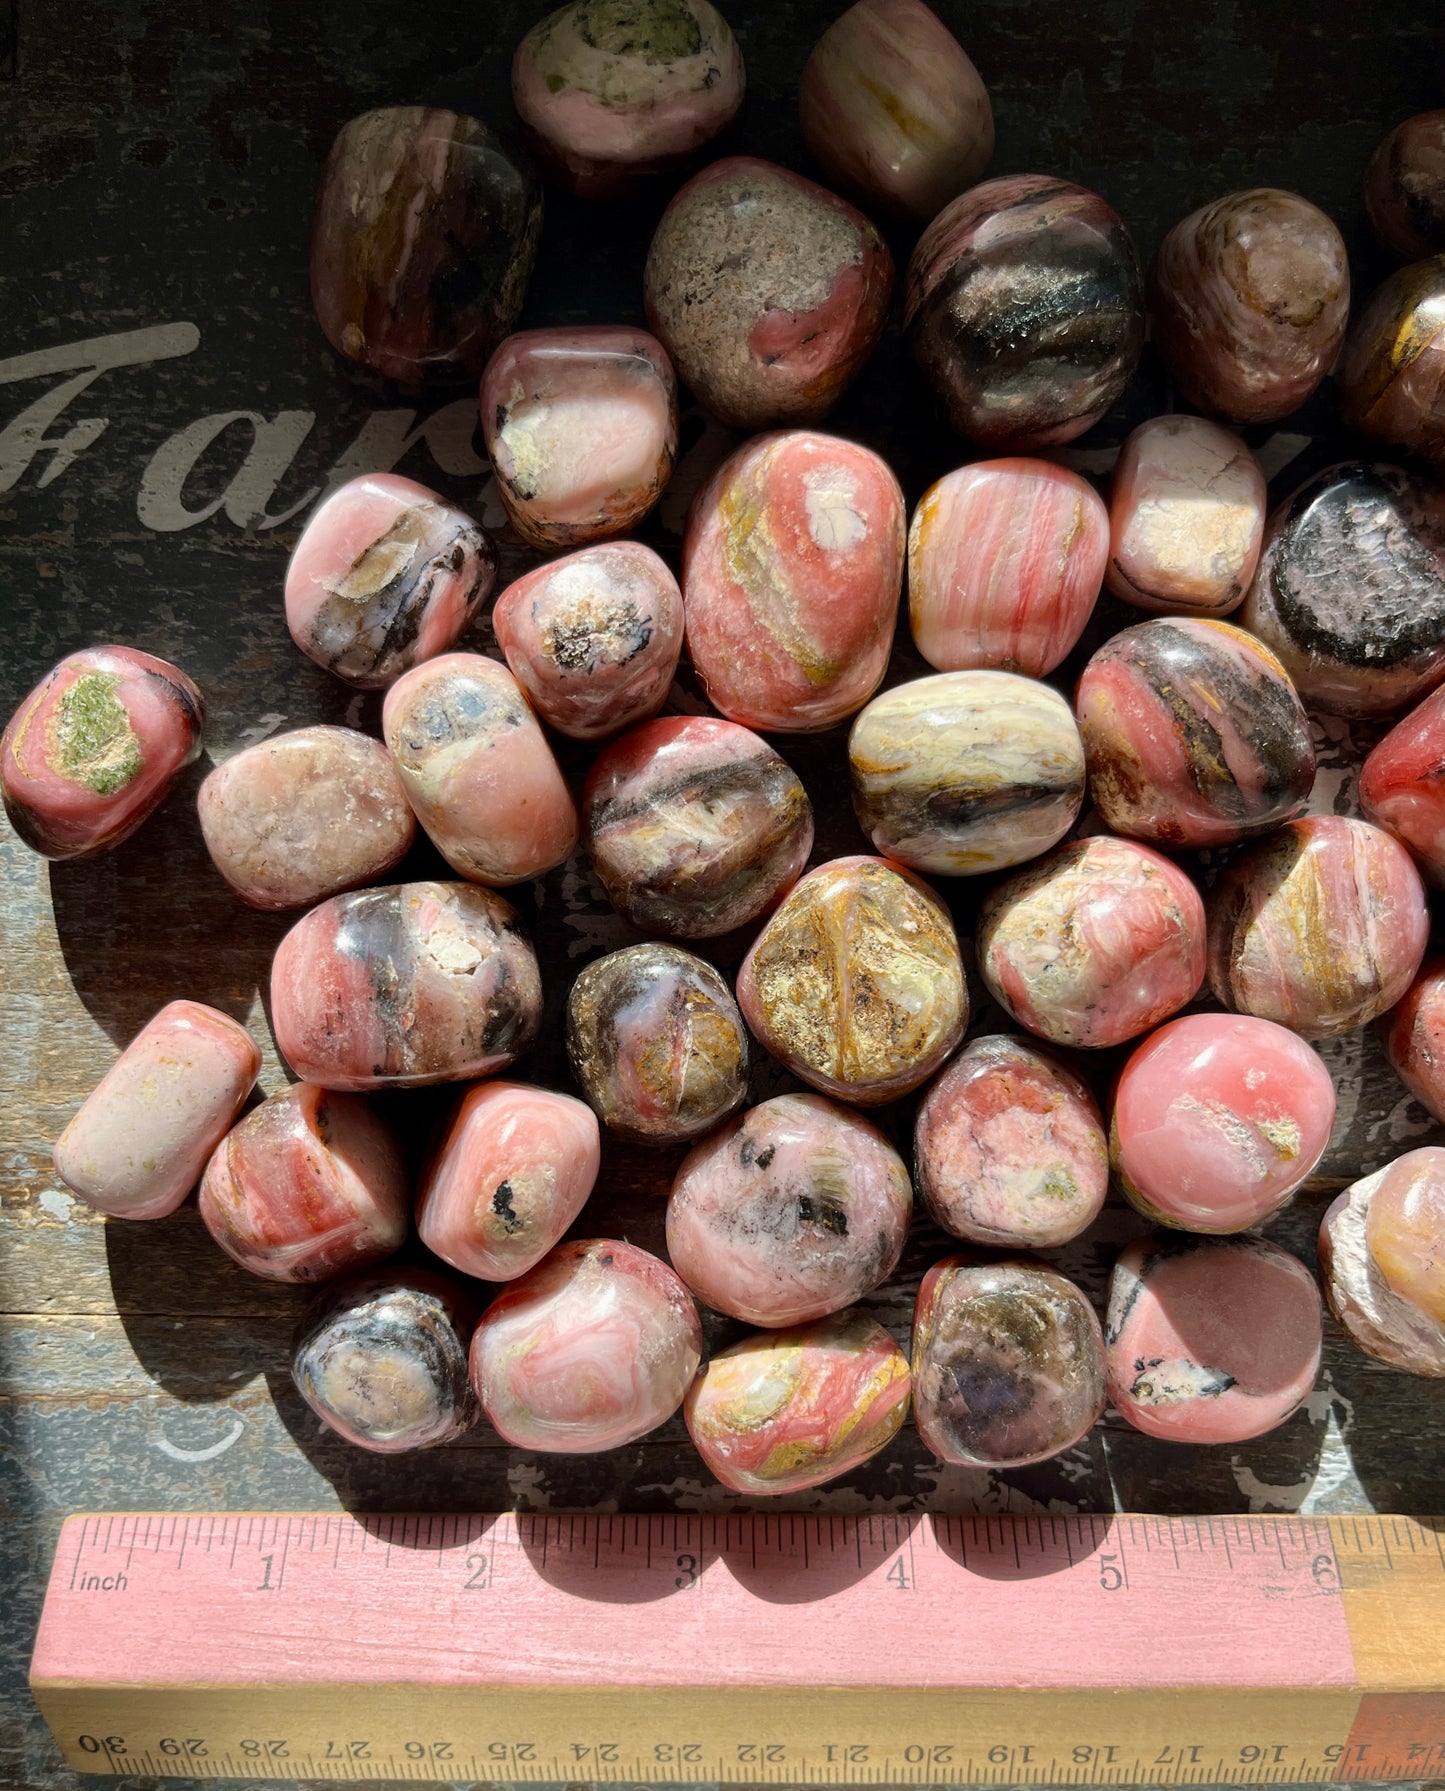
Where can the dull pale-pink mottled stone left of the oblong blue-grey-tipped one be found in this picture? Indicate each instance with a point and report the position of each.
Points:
(305, 816)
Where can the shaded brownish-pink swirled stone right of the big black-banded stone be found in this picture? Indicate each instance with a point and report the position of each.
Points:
(1249, 302)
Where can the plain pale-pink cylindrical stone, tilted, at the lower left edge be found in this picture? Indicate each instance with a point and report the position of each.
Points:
(144, 1135)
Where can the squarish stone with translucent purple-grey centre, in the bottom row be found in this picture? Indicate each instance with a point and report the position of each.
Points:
(1007, 1362)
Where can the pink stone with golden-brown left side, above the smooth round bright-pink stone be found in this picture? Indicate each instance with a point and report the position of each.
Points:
(1319, 927)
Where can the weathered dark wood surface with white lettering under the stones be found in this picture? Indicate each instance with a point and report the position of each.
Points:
(162, 162)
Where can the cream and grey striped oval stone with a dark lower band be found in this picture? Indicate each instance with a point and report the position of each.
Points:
(966, 773)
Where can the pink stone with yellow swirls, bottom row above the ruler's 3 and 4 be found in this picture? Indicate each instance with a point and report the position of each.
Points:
(787, 1410)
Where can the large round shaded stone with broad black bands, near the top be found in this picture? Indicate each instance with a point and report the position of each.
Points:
(1025, 311)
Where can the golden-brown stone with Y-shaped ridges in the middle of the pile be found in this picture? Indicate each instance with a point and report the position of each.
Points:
(857, 984)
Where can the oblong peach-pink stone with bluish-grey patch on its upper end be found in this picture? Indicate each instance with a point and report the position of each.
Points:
(477, 769)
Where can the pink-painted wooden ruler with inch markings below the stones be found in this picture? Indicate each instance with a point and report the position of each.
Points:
(762, 1649)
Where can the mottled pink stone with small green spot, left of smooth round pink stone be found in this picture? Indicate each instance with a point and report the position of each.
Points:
(1009, 1147)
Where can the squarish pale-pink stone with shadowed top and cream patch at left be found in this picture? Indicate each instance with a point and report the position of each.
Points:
(581, 429)
